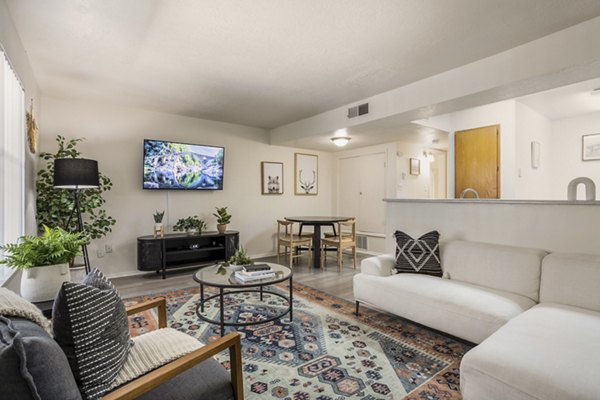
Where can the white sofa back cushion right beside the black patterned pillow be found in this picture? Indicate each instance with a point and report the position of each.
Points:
(506, 268)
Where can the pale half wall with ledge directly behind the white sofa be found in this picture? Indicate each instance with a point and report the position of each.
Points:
(552, 227)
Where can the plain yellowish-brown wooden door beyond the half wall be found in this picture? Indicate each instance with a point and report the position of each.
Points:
(477, 162)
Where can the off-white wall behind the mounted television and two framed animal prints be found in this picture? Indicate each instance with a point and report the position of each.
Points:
(114, 138)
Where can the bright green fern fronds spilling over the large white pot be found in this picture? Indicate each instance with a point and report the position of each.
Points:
(52, 247)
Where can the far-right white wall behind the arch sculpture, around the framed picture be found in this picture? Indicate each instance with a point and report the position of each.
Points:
(566, 146)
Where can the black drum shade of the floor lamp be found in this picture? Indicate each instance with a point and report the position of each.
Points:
(75, 173)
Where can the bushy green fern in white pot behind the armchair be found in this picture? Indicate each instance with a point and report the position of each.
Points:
(44, 261)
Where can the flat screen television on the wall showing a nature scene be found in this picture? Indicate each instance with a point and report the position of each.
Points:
(182, 166)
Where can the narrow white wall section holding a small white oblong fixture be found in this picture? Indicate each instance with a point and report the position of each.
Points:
(533, 183)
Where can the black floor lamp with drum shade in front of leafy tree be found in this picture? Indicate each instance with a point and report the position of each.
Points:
(76, 174)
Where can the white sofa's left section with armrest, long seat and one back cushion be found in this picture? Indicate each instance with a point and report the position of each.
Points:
(488, 285)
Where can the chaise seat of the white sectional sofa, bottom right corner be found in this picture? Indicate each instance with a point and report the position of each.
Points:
(550, 352)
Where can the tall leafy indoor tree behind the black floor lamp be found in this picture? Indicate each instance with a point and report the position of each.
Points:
(55, 206)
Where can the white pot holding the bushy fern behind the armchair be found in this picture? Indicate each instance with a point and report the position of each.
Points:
(42, 283)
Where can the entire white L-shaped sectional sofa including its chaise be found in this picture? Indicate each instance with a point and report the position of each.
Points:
(535, 316)
